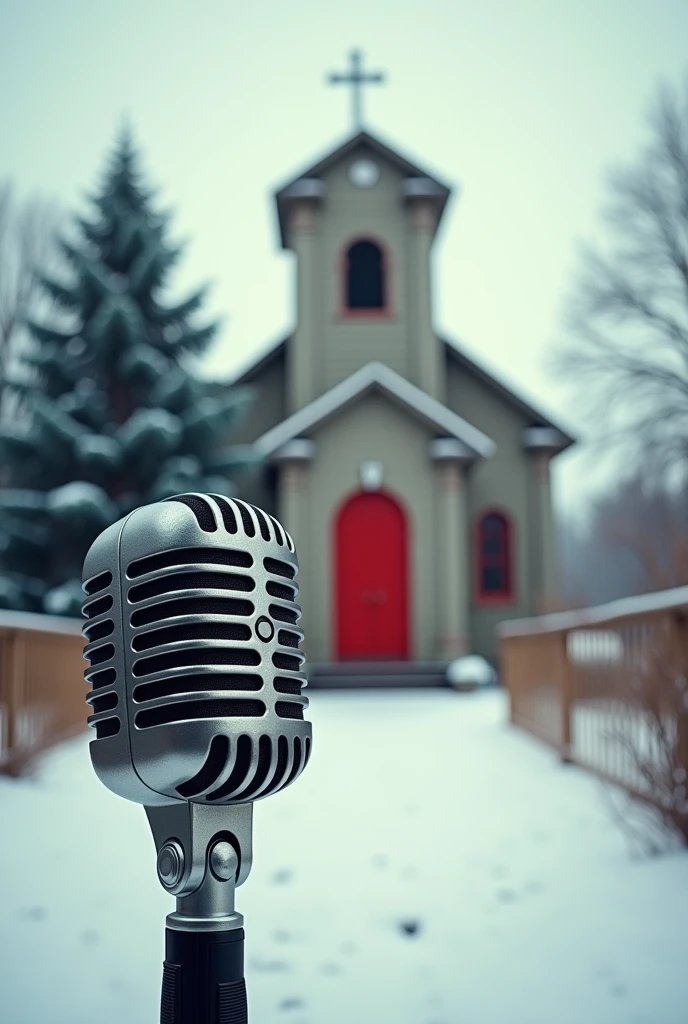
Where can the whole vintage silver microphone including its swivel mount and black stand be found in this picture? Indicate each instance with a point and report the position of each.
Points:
(196, 688)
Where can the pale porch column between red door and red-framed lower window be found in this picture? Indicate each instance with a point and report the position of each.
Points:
(452, 460)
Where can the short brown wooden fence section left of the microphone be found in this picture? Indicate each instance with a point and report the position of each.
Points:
(42, 690)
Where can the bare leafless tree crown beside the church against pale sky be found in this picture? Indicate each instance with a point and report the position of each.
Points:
(627, 346)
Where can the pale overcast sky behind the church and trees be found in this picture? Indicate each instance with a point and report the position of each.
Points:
(521, 106)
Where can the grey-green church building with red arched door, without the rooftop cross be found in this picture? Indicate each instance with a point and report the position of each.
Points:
(416, 486)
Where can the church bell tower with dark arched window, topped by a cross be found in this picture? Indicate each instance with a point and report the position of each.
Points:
(362, 223)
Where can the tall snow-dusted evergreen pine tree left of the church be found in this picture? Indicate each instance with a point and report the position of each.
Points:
(109, 416)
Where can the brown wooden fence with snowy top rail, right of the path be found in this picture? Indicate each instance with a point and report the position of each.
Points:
(608, 689)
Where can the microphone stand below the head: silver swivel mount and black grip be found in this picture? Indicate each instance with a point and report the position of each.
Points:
(204, 852)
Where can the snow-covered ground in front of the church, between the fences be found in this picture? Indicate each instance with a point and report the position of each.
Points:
(432, 867)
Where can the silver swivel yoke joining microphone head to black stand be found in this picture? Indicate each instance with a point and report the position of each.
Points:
(204, 852)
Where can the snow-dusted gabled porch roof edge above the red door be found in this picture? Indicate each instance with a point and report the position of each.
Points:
(372, 377)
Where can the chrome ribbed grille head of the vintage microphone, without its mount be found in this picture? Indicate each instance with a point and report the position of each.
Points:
(194, 648)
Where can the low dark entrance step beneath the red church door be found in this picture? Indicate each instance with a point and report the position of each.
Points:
(386, 675)
